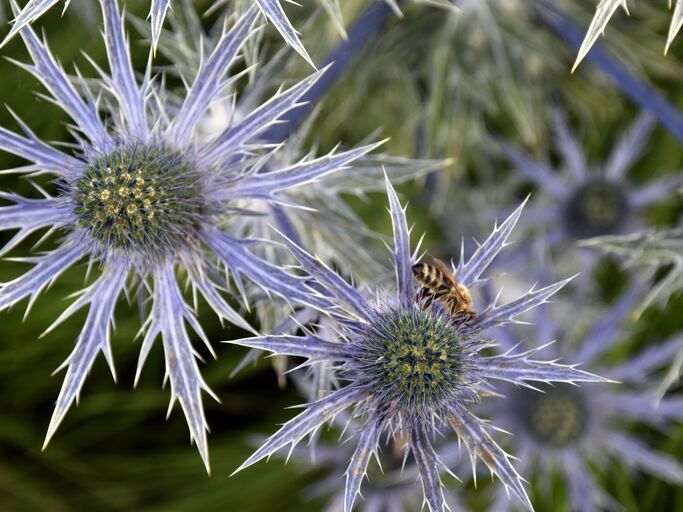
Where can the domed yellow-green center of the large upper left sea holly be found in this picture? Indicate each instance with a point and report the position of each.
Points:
(143, 200)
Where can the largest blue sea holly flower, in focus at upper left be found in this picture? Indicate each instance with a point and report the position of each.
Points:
(141, 196)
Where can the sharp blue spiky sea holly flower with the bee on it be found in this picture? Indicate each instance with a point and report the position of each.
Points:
(409, 369)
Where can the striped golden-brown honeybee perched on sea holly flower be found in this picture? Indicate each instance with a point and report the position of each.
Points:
(440, 284)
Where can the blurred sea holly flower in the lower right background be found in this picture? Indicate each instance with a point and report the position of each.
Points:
(569, 430)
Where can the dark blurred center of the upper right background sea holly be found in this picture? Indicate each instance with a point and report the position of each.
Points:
(599, 207)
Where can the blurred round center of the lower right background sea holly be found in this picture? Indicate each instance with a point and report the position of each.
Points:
(557, 417)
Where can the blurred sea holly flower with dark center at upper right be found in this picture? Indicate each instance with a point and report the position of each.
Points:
(592, 200)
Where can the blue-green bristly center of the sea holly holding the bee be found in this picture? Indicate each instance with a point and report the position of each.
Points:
(413, 358)
